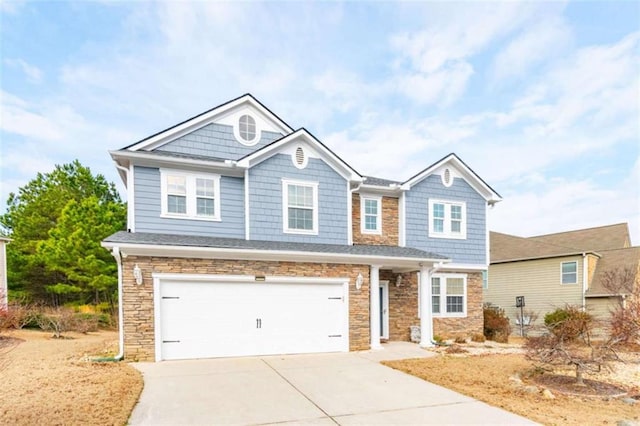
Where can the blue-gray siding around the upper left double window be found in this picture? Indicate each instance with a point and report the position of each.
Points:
(147, 188)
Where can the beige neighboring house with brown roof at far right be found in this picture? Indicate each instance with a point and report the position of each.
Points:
(553, 270)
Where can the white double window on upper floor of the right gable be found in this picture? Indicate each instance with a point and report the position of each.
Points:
(448, 219)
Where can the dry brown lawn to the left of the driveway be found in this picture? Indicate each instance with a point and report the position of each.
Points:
(48, 381)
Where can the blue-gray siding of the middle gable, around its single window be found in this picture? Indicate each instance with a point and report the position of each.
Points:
(265, 201)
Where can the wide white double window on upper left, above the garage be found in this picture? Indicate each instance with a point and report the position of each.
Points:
(190, 195)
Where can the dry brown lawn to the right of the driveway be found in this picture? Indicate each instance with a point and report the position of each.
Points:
(489, 378)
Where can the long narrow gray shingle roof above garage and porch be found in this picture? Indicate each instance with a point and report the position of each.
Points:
(233, 243)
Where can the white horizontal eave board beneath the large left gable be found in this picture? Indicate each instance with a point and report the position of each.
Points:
(146, 159)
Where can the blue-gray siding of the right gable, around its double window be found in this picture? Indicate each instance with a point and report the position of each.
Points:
(470, 250)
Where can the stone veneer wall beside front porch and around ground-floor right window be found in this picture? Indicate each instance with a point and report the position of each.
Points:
(403, 308)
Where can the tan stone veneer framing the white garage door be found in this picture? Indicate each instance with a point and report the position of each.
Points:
(138, 299)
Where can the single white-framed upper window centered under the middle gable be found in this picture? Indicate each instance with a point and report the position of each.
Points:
(300, 207)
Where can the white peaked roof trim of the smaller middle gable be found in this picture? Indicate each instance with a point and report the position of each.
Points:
(270, 150)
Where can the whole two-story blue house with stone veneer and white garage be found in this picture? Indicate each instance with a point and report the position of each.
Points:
(247, 237)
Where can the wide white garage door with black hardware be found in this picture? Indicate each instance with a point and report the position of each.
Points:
(219, 319)
